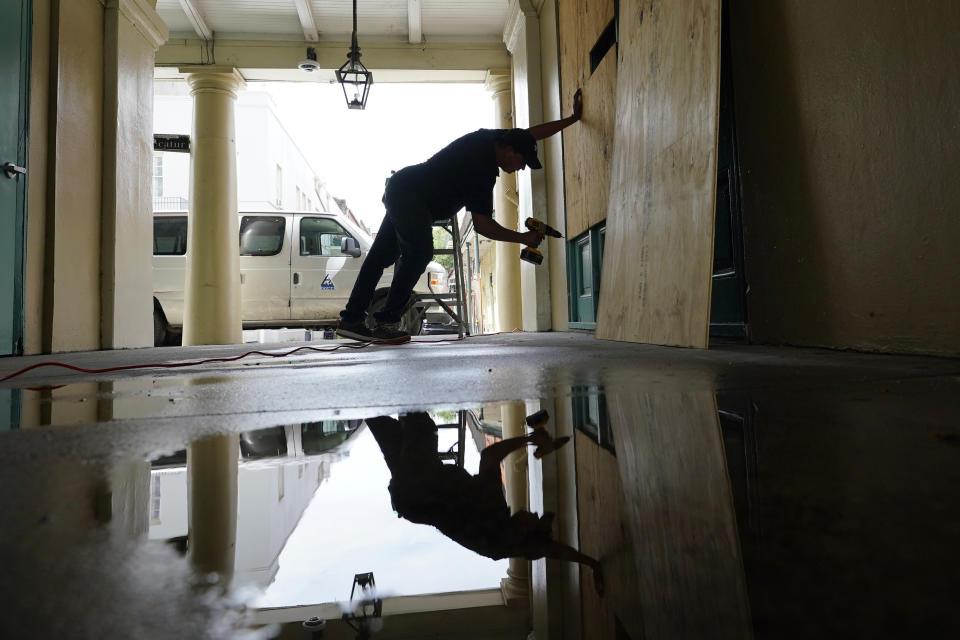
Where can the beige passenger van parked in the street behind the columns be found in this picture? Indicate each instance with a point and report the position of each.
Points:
(296, 270)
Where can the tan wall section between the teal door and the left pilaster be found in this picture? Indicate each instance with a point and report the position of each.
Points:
(61, 288)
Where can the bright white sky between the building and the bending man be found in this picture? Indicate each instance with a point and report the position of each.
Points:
(353, 151)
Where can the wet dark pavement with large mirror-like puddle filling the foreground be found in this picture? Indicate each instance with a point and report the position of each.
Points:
(737, 492)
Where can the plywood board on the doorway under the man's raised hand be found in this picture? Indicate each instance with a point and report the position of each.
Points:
(588, 146)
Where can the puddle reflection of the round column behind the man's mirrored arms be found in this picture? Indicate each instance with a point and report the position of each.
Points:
(516, 585)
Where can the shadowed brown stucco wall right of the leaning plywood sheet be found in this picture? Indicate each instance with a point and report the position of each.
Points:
(847, 120)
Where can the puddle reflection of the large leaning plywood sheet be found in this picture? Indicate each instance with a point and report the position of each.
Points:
(679, 512)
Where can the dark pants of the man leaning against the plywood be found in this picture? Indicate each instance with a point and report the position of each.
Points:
(405, 239)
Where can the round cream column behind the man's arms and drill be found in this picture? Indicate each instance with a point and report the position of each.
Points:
(507, 272)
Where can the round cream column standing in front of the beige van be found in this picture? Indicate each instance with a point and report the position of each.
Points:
(212, 284)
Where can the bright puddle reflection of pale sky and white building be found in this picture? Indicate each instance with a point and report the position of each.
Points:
(313, 510)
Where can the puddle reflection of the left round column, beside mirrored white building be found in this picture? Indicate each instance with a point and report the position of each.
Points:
(212, 482)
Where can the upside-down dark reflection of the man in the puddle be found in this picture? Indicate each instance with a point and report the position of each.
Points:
(470, 510)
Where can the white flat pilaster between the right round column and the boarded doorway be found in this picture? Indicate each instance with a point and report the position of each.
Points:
(521, 34)
